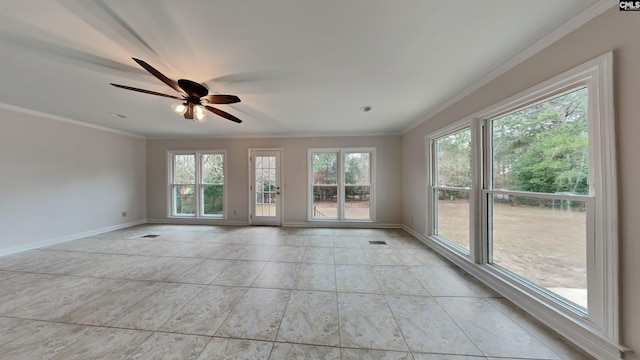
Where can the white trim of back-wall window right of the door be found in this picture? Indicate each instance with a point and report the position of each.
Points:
(340, 184)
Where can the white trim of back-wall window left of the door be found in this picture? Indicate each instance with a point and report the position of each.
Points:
(198, 154)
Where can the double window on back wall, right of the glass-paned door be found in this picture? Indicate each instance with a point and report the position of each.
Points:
(341, 184)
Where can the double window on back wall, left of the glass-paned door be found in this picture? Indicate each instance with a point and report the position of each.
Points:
(197, 183)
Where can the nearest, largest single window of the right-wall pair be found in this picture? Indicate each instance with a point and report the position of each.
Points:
(538, 193)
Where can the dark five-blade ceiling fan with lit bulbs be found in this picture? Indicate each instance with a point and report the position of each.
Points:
(195, 97)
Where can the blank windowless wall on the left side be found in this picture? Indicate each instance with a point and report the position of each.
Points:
(59, 180)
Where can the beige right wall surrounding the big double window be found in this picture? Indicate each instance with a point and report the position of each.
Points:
(613, 30)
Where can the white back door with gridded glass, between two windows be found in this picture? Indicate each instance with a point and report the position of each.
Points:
(265, 187)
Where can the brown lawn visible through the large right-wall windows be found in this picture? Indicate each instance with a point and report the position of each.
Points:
(544, 245)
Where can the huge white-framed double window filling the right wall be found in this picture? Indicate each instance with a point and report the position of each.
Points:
(523, 194)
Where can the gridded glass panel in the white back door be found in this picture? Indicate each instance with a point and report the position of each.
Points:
(265, 186)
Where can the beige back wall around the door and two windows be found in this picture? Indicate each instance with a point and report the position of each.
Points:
(294, 162)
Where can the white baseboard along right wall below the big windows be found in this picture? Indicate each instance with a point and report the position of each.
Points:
(580, 333)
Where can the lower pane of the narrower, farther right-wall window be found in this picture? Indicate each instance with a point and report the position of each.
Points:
(452, 221)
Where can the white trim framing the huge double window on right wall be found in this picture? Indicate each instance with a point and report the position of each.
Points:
(597, 333)
